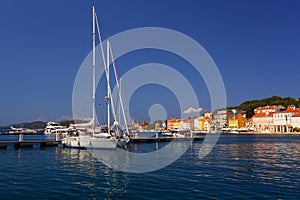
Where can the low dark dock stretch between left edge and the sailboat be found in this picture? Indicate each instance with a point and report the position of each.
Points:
(29, 143)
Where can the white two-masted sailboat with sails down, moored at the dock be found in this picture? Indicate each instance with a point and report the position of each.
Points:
(101, 137)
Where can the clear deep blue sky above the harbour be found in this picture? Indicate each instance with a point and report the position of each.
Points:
(255, 44)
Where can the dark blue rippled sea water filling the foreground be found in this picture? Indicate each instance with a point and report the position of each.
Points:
(239, 167)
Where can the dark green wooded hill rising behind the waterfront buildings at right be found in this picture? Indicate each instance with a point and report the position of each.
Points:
(249, 106)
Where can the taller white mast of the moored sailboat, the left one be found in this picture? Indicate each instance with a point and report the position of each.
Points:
(94, 71)
